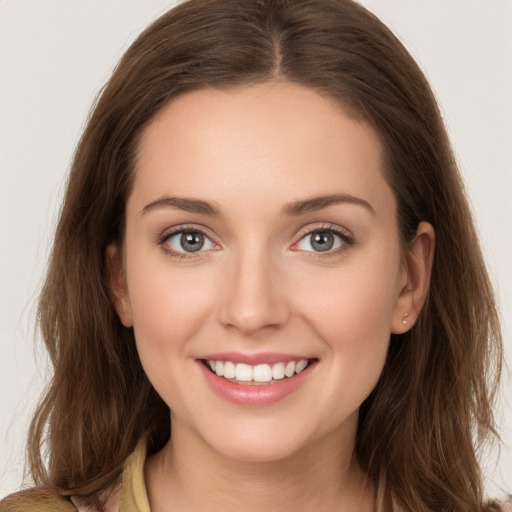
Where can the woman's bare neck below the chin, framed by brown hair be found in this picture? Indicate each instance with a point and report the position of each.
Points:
(188, 475)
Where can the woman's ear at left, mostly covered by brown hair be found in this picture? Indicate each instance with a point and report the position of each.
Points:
(117, 284)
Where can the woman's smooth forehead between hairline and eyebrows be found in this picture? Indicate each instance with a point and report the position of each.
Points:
(277, 140)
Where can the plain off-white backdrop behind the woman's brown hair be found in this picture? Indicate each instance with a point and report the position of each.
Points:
(56, 54)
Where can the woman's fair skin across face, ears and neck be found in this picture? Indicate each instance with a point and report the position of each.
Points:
(268, 277)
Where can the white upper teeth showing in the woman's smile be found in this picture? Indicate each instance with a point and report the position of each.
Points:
(258, 373)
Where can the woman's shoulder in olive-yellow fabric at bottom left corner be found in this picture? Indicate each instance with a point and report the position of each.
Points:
(36, 500)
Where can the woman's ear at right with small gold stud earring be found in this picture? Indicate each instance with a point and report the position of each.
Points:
(417, 267)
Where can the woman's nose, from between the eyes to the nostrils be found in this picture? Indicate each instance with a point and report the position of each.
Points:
(253, 295)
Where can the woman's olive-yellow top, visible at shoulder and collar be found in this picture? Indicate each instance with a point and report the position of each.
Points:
(133, 493)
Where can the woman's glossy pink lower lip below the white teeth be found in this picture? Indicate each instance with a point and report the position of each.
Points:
(254, 394)
